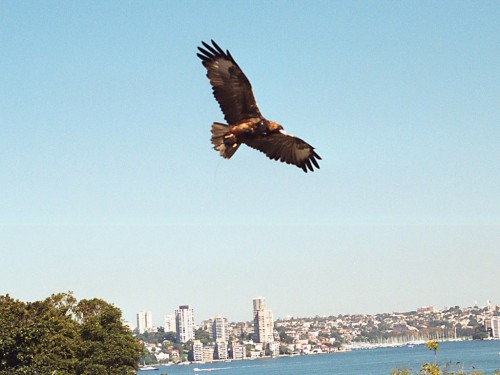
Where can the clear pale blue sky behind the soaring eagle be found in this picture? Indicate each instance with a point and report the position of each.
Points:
(109, 186)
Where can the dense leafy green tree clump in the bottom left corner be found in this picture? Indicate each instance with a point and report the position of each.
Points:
(64, 336)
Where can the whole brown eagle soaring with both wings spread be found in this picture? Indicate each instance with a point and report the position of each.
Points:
(245, 123)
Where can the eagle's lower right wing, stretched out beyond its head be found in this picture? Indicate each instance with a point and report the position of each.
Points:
(286, 148)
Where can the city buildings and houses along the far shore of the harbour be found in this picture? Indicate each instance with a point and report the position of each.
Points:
(327, 334)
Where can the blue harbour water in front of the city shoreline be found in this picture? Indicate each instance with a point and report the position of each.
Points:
(464, 355)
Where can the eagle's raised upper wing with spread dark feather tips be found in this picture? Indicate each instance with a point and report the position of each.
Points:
(230, 85)
